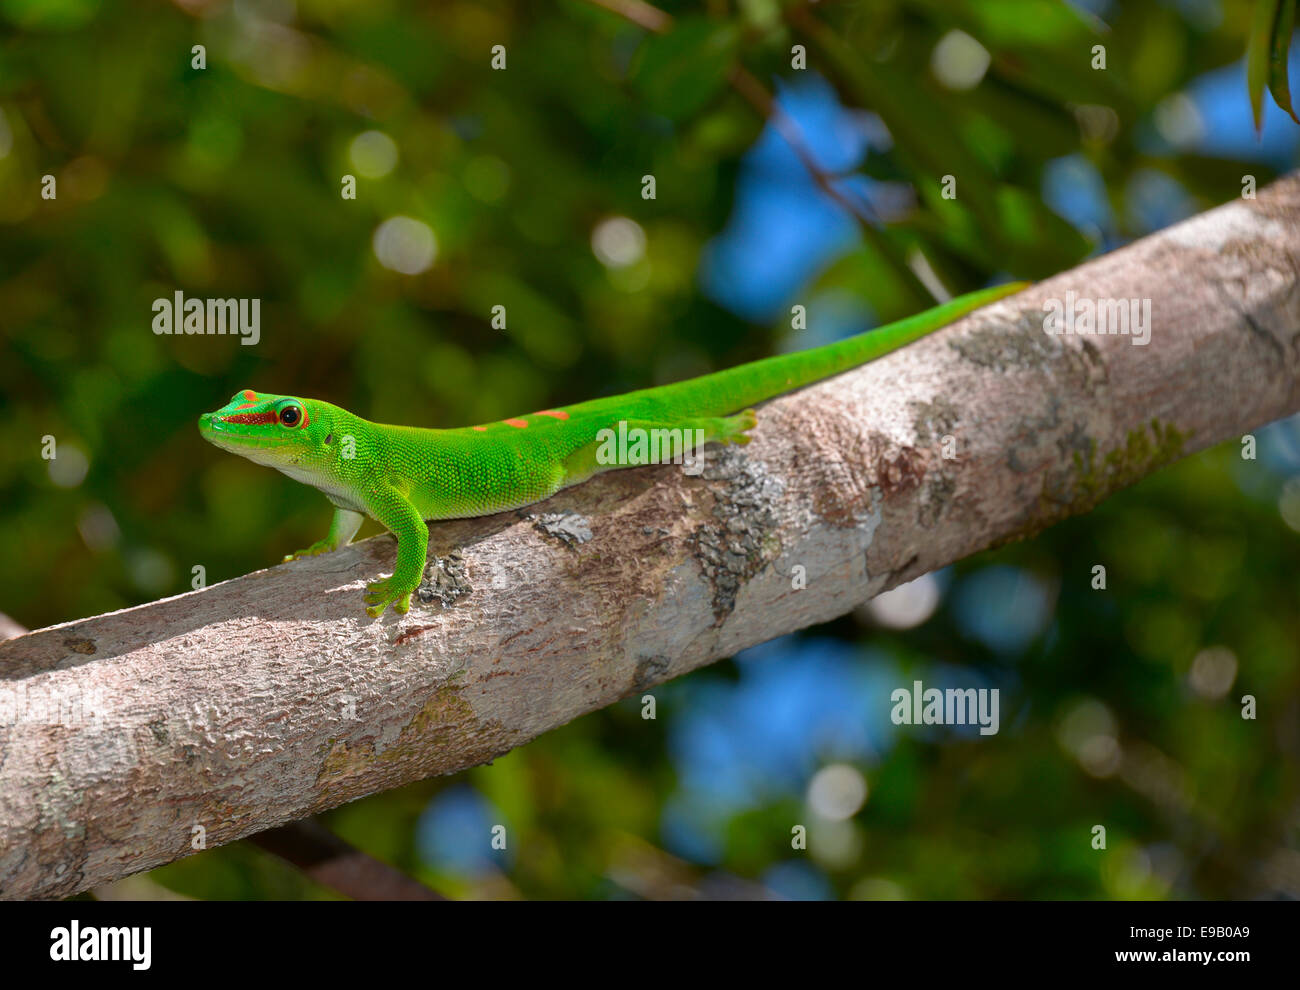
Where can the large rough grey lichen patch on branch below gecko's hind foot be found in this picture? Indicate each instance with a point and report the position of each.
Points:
(740, 540)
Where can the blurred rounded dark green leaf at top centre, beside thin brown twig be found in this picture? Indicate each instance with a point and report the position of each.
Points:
(681, 72)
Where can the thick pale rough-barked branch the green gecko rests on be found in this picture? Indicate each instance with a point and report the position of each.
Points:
(272, 697)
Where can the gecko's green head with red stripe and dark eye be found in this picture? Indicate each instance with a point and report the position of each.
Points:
(279, 431)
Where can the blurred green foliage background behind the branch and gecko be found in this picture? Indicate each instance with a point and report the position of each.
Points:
(226, 181)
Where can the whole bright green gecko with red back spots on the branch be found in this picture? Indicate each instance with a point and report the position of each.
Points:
(404, 476)
